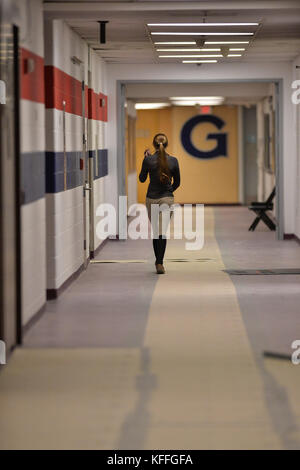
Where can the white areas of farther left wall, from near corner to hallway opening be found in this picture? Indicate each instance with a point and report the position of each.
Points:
(65, 211)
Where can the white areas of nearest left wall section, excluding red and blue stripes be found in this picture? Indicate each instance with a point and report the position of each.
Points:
(32, 136)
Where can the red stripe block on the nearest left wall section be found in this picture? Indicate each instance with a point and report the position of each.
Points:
(32, 76)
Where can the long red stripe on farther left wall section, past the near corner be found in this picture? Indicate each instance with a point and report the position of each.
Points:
(62, 87)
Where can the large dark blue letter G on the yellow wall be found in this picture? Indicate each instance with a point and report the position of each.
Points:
(221, 148)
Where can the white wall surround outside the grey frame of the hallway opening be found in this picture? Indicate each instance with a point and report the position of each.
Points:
(239, 71)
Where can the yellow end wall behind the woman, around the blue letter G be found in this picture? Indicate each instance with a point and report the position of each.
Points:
(202, 181)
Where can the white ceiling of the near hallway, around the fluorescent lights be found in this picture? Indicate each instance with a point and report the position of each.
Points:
(129, 40)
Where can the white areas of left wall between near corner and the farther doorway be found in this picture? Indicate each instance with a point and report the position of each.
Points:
(64, 210)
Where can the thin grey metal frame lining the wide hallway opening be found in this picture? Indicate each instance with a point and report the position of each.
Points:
(279, 205)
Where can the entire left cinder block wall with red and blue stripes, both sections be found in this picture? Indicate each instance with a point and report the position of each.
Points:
(52, 127)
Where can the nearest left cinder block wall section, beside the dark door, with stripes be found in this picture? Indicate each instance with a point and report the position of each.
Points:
(32, 111)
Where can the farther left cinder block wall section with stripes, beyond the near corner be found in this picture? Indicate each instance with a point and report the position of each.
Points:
(68, 63)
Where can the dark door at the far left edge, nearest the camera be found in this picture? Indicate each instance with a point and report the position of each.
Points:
(10, 295)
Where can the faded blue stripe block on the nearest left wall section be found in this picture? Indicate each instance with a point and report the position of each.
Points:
(32, 176)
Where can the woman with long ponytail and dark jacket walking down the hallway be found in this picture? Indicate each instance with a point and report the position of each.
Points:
(164, 180)
